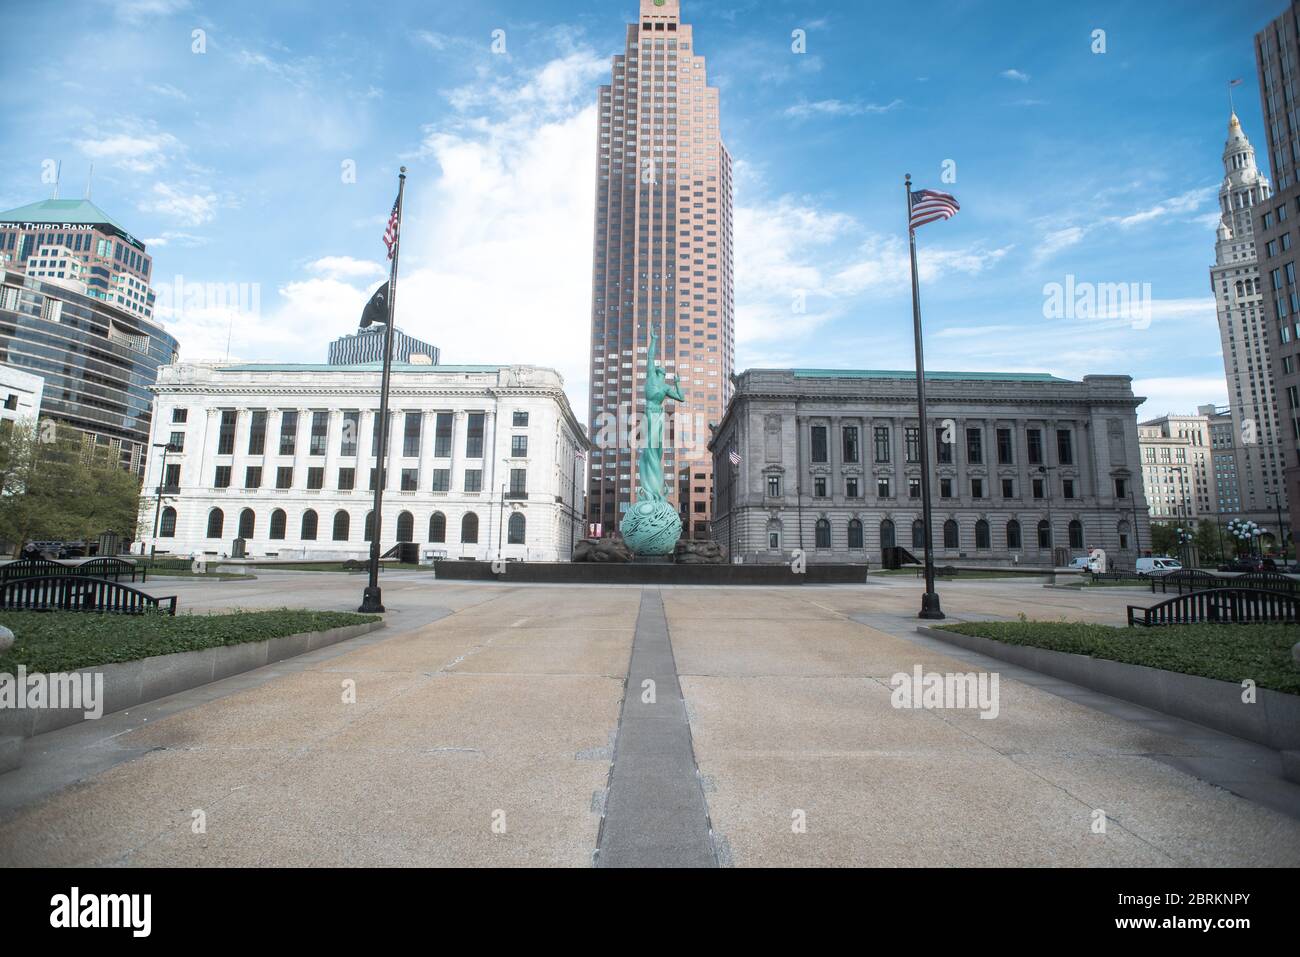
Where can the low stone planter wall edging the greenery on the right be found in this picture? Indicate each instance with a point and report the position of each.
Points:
(1272, 721)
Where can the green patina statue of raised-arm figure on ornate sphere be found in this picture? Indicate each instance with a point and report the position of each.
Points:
(652, 526)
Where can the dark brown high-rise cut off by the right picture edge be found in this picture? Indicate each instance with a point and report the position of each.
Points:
(1277, 55)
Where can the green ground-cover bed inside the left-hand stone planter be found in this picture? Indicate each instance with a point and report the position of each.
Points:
(66, 640)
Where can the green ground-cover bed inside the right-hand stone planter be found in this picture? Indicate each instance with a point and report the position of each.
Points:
(1227, 652)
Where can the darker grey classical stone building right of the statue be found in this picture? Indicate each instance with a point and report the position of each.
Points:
(1029, 469)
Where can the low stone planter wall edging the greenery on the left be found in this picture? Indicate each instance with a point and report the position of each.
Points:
(128, 685)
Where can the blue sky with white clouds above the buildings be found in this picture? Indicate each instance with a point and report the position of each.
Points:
(258, 145)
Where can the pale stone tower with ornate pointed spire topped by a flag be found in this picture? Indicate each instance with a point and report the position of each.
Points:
(1245, 336)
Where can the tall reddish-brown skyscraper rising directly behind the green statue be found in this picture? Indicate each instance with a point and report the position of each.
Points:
(662, 256)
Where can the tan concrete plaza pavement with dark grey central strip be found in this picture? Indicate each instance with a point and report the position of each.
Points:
(502, 725)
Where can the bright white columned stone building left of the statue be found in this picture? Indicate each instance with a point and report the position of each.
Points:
(483, 461)
